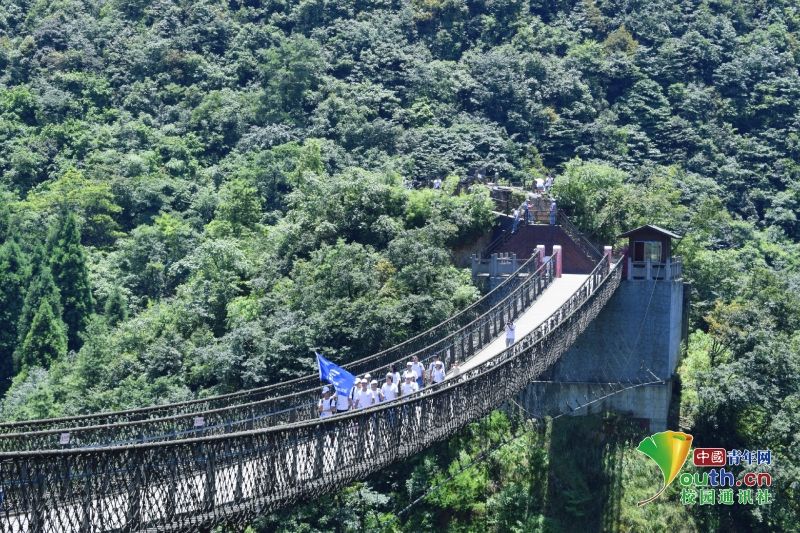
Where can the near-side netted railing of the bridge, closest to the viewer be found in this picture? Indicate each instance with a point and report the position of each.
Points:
(230, 479)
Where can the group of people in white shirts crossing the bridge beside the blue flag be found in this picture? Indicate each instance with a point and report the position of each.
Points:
(367, 391)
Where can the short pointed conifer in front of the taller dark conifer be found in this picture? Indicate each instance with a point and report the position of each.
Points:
(46, 340)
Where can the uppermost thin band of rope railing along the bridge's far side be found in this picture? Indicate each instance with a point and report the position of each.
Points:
(397, 352)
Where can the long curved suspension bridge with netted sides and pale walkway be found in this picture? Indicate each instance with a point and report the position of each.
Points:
(227, 459)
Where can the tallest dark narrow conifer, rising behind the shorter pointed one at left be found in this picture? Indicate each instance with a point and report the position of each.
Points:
(68, 263)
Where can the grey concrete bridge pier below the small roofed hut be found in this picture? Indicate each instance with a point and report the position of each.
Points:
(635, 340)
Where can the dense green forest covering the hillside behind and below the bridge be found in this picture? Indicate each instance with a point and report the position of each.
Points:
(194, 195)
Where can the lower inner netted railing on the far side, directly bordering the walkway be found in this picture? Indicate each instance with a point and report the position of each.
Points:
(457, 346)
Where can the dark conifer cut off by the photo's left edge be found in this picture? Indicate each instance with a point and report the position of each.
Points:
(14, 273)
